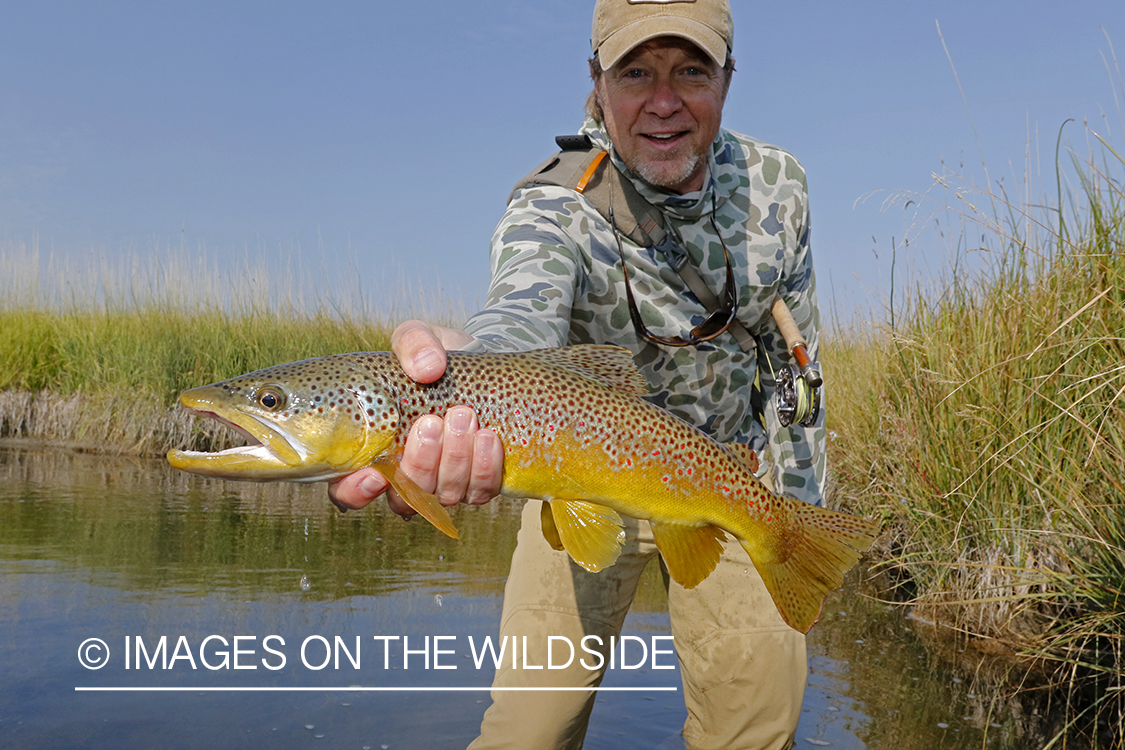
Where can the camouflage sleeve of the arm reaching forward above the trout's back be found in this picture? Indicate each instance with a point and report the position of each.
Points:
(536, 275)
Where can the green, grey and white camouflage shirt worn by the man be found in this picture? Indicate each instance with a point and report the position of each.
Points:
(556, 281)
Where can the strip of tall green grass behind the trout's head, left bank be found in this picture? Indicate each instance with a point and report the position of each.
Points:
(94, 353)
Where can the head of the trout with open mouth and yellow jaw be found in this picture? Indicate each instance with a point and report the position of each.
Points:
(311, 421)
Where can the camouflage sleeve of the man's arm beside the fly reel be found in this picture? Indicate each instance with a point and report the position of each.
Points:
(799, 454)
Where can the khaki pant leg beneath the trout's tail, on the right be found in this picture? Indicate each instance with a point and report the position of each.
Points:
(744, 668)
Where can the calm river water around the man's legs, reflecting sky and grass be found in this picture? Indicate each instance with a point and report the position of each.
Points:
(131, 553)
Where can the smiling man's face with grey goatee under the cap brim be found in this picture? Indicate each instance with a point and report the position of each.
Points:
(663, 106)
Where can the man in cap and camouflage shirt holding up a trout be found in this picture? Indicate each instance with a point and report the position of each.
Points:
(662, 71)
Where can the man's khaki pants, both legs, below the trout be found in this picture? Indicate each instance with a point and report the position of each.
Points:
(744, 670)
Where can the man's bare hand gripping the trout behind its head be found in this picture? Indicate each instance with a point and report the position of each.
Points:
(453, 458)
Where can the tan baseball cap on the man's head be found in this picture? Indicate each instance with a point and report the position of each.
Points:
(622, 25)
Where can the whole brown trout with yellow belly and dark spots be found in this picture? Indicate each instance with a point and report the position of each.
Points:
(575, 433)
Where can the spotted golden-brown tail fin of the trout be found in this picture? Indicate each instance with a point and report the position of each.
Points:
(811, 559)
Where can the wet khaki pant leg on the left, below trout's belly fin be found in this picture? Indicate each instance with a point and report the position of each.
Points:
(547, 595)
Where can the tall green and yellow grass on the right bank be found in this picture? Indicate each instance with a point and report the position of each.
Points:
(988, 430)
